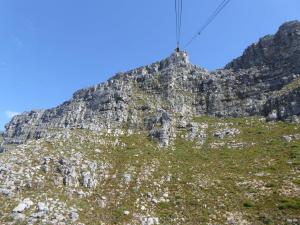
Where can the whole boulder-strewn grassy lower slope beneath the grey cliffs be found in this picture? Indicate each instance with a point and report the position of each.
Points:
(247, 171)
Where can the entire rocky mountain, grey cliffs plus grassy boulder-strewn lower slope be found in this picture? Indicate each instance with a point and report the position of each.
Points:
(167, 143)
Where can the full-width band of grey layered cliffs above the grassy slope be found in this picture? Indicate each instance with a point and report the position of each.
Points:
(165, 95)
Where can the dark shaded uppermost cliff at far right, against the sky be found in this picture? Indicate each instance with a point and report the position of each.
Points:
(281, 50)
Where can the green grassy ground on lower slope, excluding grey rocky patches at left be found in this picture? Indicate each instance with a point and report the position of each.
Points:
(258, 183)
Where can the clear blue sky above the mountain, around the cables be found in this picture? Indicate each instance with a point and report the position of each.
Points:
(51, 48)
